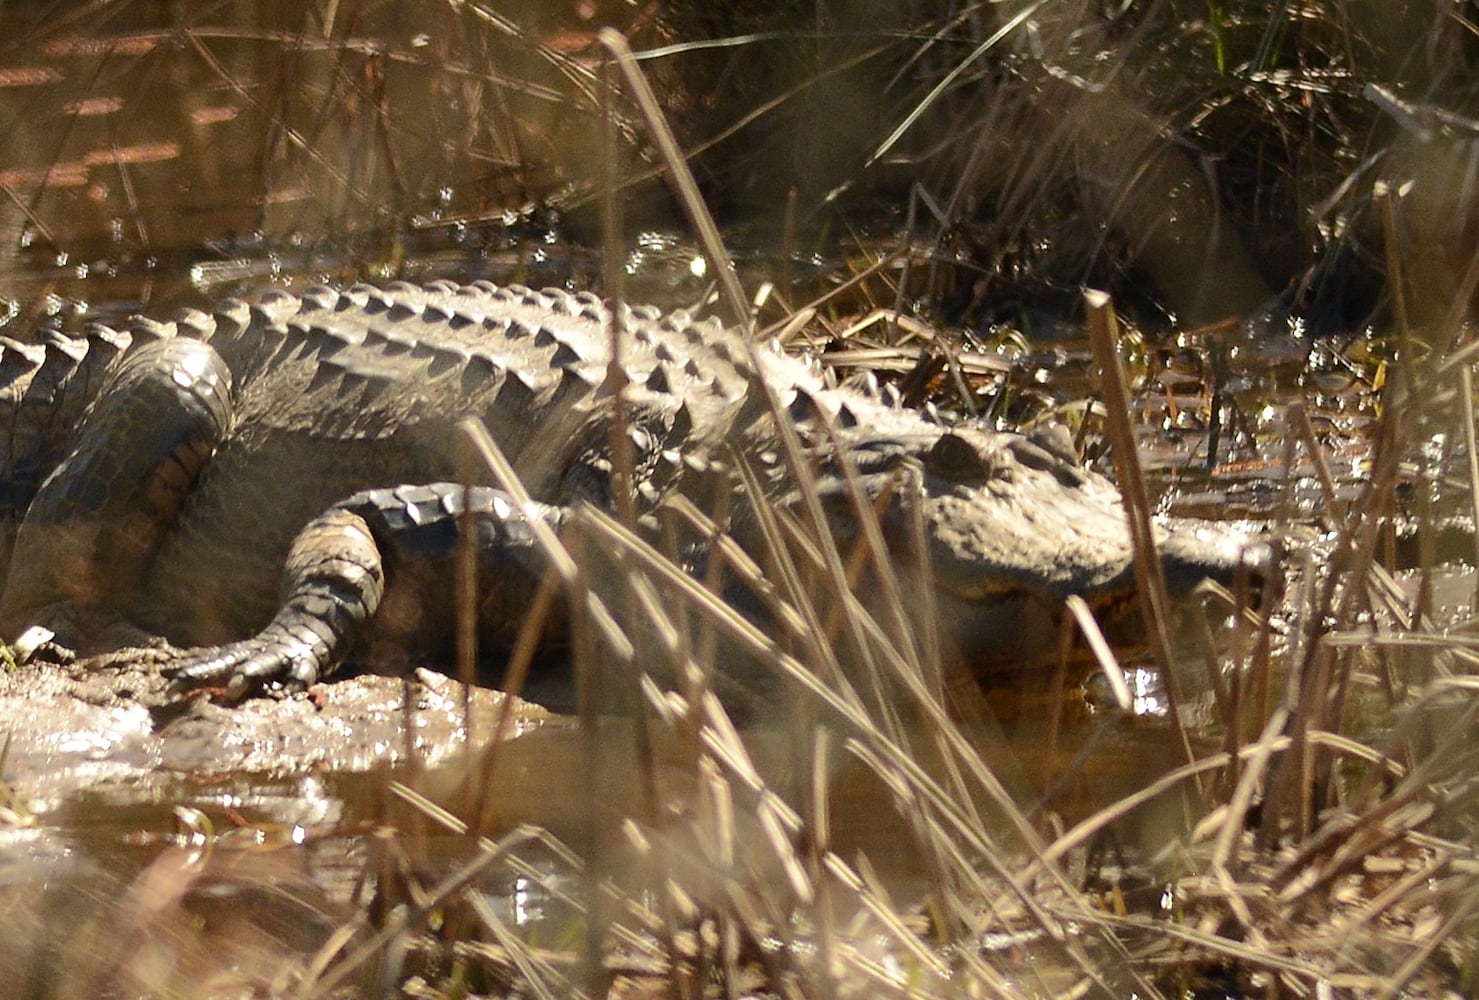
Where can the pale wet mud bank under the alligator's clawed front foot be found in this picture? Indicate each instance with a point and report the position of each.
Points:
(73, 729)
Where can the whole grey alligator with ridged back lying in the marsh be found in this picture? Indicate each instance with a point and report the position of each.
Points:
(257, 489)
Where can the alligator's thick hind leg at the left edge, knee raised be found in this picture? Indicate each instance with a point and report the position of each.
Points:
(92, 530)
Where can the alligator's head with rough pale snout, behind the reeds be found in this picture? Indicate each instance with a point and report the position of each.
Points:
(1014, 526)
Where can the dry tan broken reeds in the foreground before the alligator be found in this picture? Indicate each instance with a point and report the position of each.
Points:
(1327, 850)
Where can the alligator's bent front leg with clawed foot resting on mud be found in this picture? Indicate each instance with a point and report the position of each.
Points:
(378, 570)
